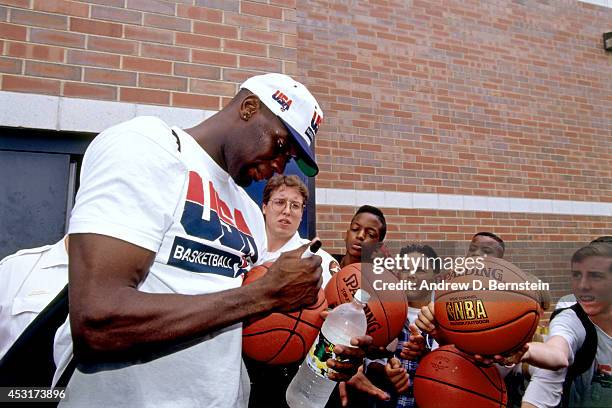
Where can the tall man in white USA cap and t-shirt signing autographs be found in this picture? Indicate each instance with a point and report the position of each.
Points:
(160, 236)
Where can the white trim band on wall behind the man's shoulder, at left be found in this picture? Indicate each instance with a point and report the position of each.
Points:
(84, 115)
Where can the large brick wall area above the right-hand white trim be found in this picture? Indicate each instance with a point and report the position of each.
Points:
(462, 97)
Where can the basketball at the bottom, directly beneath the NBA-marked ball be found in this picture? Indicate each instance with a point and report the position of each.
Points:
(446, 377)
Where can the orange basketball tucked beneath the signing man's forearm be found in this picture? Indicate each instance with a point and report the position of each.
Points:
(281, 338)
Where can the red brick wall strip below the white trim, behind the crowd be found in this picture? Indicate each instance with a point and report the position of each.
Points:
(539, 243)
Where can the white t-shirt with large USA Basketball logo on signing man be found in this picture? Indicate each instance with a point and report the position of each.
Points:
(205, 230)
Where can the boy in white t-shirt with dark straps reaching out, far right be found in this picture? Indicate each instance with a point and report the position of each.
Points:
(591, 281)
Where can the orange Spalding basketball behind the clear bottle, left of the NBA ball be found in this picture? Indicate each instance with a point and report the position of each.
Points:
(387, 309)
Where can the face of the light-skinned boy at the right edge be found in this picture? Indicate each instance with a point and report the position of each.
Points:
(592, 284)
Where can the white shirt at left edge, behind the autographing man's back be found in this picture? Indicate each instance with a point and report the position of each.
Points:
(31, 278)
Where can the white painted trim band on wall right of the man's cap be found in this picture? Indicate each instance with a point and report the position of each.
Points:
(393, 199)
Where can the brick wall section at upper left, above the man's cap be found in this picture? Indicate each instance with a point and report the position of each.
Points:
(178, 53)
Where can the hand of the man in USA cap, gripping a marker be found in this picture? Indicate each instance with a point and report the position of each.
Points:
(293, 282)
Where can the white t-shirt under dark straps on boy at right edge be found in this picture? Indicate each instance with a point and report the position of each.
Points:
(593, 388)
